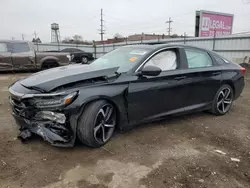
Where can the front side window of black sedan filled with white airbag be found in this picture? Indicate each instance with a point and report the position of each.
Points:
(165, 60)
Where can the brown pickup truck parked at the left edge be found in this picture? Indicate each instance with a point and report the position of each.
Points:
(21, 55)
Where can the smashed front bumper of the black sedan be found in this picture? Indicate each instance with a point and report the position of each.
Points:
(55, 127)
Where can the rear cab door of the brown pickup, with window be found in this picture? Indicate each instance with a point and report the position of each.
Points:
(23, 55)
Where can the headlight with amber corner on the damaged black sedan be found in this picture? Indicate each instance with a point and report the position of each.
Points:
(58, 101)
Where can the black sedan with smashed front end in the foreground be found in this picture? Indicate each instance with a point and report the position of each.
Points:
(128, 86)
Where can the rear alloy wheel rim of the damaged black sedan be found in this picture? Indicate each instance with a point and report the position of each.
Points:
(224, 100)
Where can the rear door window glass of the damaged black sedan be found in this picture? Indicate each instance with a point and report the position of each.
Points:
(197, 58)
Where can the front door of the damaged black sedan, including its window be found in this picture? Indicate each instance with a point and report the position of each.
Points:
(153, 97)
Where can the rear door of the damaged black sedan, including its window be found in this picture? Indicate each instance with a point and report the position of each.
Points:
(202, 76)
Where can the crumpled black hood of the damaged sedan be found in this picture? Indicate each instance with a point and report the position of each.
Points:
(55, 77)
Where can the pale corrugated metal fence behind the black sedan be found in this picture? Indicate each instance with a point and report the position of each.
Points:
(233, 47)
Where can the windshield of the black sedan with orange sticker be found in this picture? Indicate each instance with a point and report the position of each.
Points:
(124, 58)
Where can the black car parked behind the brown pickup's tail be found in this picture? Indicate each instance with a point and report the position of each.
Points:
(79, 56)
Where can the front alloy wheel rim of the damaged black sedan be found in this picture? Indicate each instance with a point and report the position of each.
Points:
(104, 123)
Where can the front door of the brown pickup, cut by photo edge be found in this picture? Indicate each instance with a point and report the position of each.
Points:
(5, 57)
